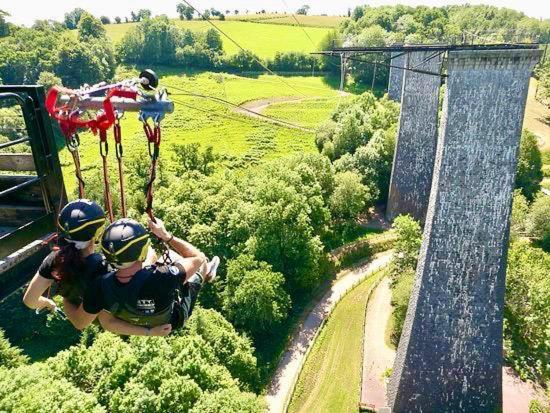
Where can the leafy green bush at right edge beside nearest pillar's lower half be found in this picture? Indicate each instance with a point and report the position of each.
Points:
(527, 315)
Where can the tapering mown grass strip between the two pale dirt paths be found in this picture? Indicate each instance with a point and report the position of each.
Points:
(331, 377)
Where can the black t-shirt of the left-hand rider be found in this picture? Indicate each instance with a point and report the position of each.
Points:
(94, 266)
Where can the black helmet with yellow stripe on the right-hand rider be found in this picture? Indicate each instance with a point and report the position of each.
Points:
(125, 241)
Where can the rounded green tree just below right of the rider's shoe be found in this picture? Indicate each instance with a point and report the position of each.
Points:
(254, 298)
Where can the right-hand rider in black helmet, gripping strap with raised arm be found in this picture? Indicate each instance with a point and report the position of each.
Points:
(146, 296)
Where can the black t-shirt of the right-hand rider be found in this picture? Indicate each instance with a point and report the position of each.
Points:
(157, 288)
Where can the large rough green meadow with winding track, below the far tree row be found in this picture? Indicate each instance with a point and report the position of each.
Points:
(241, 140)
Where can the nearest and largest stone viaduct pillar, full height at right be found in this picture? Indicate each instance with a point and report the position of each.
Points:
(450, 354)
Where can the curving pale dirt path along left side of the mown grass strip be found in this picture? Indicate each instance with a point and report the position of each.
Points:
(286, 375)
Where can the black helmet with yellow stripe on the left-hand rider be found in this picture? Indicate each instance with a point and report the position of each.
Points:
(81, 220)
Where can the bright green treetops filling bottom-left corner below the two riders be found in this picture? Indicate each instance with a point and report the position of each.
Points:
(207, 363)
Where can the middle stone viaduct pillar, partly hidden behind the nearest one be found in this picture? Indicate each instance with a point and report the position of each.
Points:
(414, 156)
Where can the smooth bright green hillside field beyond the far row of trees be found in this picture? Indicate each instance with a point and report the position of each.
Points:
(263, 39)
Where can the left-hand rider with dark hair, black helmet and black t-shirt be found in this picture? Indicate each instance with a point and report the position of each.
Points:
(73, 264)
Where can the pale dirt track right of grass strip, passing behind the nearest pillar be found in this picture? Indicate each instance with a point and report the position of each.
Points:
(378, 357)
